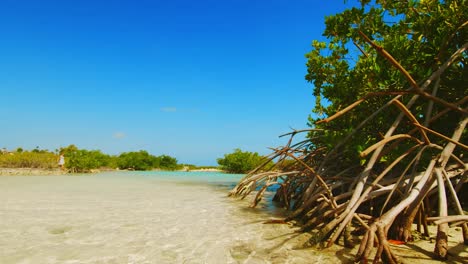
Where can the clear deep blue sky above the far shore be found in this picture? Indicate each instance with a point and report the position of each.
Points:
(191, 79)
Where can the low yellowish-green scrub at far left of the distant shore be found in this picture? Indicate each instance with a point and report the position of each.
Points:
(29, 159)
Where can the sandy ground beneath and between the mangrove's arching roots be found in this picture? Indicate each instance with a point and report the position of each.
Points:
(419, 251)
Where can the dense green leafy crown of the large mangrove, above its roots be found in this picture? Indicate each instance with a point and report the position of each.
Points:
(420, 35)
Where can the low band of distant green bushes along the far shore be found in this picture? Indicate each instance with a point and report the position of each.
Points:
(83, 160)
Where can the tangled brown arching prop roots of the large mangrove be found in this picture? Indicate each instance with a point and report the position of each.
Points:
(380, 201)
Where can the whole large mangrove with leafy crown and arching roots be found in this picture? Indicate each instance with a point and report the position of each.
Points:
(389, 146)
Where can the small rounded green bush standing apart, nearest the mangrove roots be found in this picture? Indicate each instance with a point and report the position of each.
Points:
(240, 161)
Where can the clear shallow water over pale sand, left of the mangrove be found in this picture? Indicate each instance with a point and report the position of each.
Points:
(137, 217)
